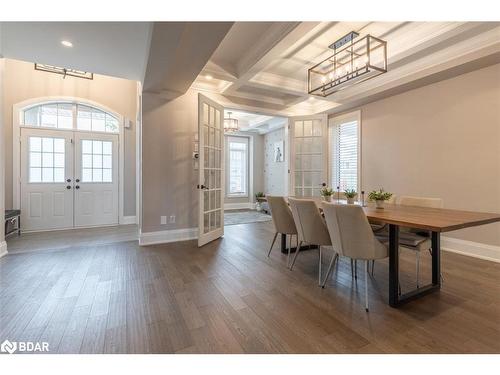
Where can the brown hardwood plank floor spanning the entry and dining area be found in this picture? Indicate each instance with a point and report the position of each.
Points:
(228, 297)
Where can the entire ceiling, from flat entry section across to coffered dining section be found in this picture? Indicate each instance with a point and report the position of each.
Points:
(254, 66)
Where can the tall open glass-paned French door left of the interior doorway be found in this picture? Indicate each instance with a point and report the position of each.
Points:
(211, 170)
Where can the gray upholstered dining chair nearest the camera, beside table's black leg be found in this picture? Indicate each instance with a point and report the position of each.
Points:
(352, 236)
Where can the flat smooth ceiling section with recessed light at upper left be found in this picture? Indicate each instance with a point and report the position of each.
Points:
(117, 49)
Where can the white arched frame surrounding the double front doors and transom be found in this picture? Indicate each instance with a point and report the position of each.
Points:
(16, 143)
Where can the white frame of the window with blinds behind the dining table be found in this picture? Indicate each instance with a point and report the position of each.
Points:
(333, 122)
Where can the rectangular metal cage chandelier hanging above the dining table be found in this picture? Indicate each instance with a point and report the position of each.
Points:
(352, 62)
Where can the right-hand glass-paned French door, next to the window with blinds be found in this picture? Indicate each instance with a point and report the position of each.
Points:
(309, 155)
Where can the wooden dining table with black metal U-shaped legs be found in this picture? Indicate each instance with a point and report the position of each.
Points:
(433, 220)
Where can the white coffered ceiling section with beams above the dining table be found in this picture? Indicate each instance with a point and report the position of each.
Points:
(263, 65)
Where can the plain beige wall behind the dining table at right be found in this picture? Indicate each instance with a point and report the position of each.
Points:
(441, 140)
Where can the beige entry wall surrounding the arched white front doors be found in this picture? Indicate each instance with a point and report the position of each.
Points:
(22, 82)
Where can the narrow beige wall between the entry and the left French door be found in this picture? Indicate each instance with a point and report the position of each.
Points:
(168, 175)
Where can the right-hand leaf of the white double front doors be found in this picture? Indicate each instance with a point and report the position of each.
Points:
(96, 179)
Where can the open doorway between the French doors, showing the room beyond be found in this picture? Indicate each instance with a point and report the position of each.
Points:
(256, 163)
